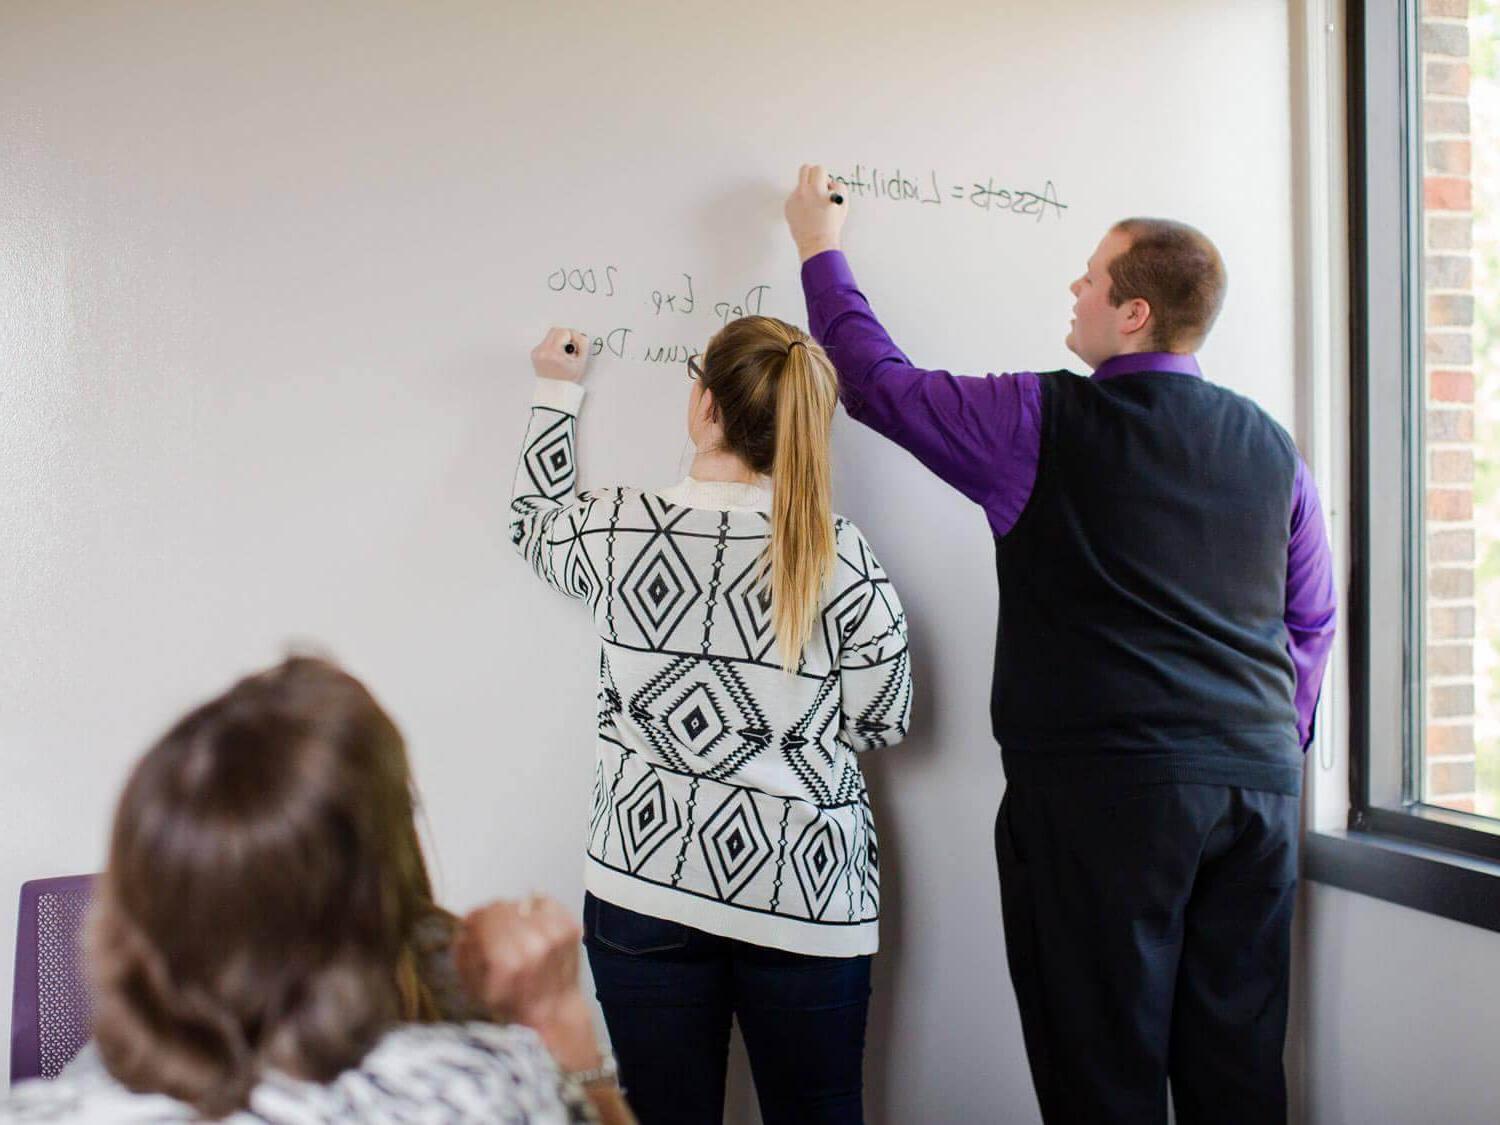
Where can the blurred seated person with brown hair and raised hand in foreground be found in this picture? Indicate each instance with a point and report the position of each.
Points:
(265, 944)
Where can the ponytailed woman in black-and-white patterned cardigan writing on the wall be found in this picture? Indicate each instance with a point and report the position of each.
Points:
(751, 647)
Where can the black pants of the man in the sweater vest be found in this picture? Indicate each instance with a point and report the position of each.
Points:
(1148, 931)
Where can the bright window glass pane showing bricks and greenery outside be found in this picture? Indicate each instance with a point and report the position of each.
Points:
(1459, 47)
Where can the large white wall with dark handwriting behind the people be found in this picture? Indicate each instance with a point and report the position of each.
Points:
(268, 281)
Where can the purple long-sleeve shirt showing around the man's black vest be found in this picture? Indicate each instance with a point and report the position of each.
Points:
(983, 436)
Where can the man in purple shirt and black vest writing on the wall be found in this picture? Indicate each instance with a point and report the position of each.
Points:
(1166, 614)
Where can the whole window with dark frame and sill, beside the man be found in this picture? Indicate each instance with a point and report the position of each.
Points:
(1424, 617)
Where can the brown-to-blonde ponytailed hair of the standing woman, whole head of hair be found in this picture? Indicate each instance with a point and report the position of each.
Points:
(776, 392)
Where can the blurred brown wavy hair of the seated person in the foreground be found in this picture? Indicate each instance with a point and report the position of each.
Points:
(265, 892)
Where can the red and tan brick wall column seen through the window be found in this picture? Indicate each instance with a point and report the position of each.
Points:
(1450, 380)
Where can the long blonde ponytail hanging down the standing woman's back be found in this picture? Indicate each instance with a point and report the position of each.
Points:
(802, 551)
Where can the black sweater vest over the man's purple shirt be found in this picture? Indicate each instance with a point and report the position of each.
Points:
(1144, 590)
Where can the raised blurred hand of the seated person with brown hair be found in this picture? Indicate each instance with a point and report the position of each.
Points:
(521, 961)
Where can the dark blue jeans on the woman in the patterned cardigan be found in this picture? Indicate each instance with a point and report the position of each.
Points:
(670, 994)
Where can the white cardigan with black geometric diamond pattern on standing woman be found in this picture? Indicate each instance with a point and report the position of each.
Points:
(728, 793)
